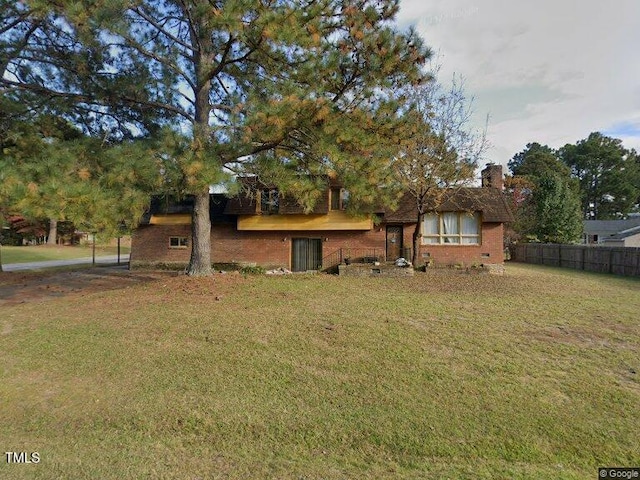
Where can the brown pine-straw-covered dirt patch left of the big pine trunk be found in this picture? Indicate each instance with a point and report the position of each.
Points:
(24, 287)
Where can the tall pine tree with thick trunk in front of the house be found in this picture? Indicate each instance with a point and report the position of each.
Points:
(292, 86)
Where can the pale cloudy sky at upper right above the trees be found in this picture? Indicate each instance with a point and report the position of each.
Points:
(546, 71)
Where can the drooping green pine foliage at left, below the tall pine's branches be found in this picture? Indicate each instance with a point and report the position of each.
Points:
(49, 170)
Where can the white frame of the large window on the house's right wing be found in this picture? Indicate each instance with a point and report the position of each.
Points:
(455, 238)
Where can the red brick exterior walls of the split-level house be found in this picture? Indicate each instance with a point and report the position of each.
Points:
(272, 249)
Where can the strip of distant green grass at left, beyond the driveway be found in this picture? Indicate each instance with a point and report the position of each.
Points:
(39, 253)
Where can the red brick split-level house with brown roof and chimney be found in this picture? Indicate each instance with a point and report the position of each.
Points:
(269, 230)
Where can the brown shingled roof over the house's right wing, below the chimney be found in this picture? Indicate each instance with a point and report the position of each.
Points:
(489, 201)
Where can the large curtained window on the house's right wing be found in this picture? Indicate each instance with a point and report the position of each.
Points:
(451, 228)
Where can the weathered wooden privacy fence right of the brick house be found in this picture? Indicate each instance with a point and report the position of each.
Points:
(616, 260)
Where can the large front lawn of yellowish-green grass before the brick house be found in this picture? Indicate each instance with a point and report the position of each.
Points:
(530, 375)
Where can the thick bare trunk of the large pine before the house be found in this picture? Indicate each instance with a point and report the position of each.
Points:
(200, 263)
